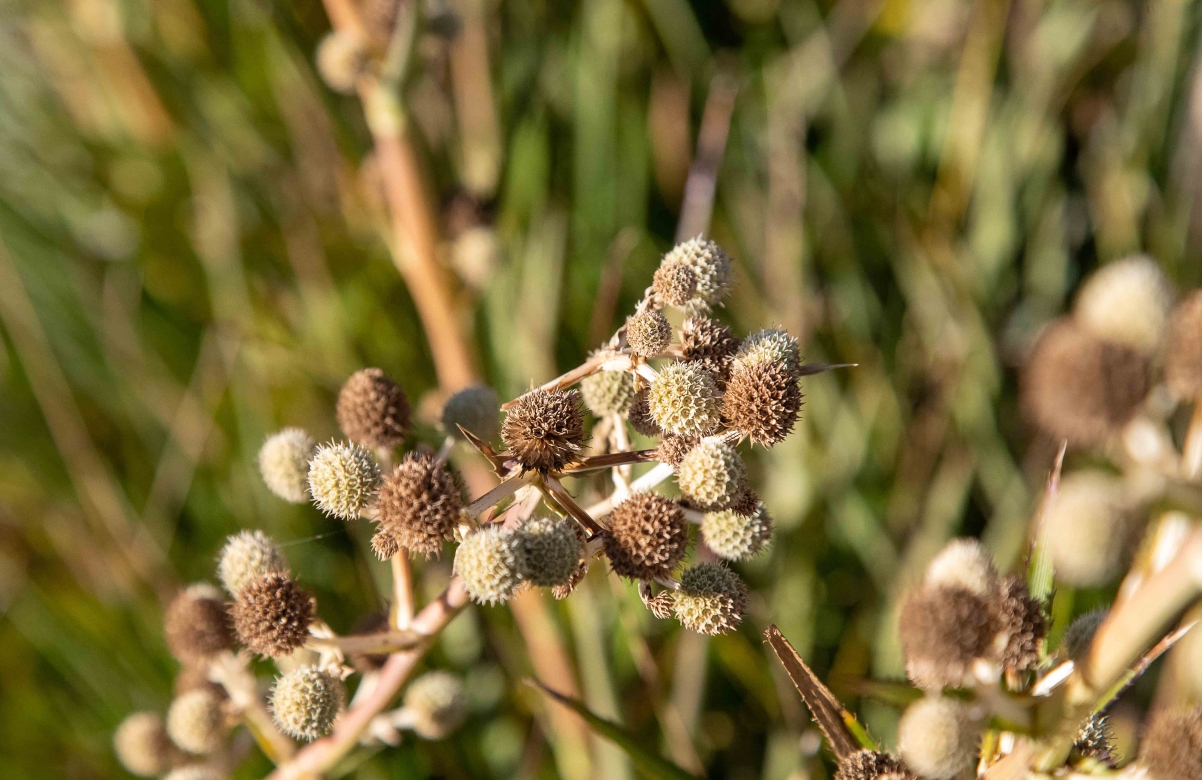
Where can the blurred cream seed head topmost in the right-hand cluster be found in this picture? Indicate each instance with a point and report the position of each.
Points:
(1127, 302)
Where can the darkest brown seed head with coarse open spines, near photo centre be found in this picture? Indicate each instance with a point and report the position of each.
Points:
(545, 430)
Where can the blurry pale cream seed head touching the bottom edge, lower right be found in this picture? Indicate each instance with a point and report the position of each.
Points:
(938, 737)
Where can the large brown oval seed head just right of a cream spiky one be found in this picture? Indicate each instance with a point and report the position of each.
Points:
(420, 505)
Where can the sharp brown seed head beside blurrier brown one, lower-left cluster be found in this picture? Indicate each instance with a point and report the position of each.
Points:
(272, 616)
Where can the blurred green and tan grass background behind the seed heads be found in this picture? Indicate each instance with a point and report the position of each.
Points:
(192, 257)
